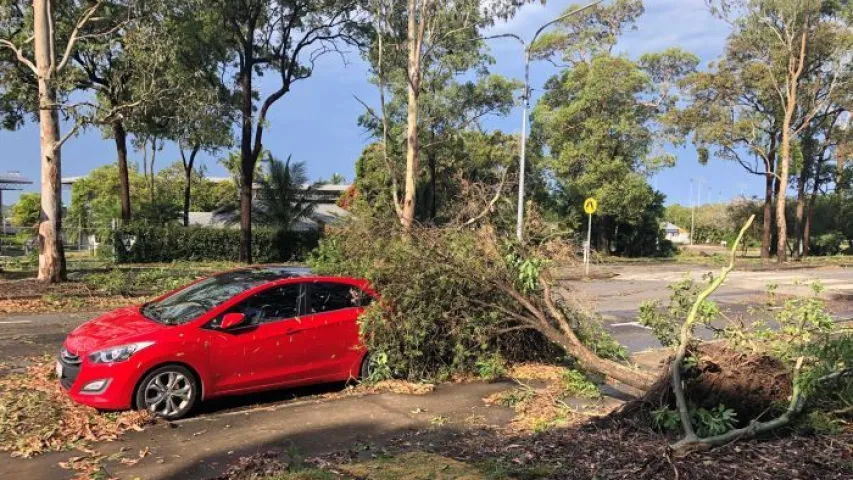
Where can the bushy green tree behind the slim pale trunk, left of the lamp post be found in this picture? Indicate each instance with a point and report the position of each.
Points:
(451, 111)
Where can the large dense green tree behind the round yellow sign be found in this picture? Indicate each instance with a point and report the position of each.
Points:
(601, 122)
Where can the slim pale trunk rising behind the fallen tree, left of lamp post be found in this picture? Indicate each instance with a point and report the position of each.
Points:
(413, 148)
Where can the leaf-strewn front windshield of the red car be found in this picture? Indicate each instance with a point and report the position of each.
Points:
(197, 299)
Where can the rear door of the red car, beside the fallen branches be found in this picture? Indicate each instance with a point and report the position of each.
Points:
(331, 320)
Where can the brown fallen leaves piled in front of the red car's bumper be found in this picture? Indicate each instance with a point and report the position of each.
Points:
(37, 416)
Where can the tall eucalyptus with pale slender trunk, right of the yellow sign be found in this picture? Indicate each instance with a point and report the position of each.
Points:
(786, 40)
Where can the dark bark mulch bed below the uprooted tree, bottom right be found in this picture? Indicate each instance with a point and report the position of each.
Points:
(626, 453)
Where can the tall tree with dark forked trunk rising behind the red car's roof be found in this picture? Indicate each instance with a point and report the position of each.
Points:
(285, 38)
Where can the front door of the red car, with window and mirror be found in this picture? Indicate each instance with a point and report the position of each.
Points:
(269, 349)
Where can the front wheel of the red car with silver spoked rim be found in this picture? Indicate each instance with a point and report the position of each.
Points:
(169, 392)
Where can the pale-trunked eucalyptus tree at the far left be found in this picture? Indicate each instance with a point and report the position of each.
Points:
(38, 40)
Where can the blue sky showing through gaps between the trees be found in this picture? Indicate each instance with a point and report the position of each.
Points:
(316, 121)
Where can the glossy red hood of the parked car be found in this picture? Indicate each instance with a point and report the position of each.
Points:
(116, 328)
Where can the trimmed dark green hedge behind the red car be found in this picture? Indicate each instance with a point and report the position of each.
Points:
(173, 243)
